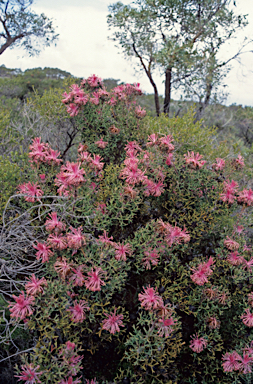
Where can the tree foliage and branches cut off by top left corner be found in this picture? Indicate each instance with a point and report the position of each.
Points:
(21, 27)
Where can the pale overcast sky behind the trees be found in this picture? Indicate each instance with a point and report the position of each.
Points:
(84, 49)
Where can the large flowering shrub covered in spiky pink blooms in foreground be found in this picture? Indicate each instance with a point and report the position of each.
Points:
(147, 267)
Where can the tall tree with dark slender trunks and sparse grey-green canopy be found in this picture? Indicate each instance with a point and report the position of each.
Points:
(175, 36)
